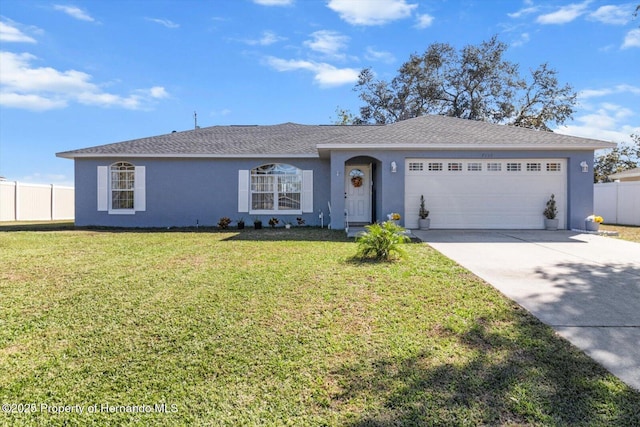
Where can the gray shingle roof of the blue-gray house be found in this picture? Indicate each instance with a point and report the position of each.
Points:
(296, 140)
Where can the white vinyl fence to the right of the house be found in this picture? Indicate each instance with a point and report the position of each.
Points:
(617, 202)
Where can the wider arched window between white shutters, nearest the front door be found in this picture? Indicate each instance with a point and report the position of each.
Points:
(276, 187)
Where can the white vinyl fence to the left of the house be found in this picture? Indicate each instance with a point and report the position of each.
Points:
(34, 202)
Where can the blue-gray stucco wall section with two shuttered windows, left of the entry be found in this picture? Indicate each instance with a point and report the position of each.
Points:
(183, 192)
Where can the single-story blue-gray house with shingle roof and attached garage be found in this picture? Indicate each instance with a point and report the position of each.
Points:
(473, 175)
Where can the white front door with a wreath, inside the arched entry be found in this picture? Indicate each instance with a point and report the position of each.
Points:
(358, 193)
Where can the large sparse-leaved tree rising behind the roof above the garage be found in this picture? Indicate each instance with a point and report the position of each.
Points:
(475, 83)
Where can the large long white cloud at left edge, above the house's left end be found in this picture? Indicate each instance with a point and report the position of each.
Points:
(44, 88)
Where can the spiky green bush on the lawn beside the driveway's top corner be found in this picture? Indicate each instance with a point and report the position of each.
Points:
(382, 241)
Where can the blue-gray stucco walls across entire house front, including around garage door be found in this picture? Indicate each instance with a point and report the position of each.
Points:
(183, 192)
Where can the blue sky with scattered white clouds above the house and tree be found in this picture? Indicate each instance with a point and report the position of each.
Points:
(83, 73)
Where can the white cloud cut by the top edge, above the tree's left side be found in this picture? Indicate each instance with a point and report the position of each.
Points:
(371, 12)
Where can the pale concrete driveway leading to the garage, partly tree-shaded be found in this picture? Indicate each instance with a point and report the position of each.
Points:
(586, 287)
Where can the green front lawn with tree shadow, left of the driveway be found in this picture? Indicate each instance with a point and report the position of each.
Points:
(276, 327)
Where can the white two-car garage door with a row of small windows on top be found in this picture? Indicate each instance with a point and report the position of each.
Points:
(484, 194)
